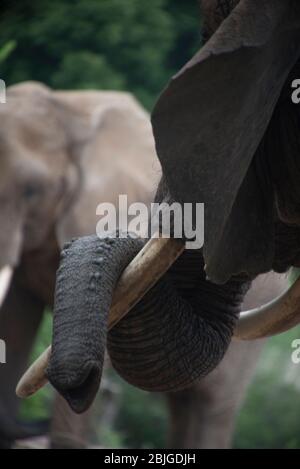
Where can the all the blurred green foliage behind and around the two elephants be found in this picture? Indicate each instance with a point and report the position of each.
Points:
(136, 46)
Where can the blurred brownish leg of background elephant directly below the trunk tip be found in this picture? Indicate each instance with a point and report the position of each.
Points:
(69, 430)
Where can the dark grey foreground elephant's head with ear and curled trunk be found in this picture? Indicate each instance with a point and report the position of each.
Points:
(226, 135)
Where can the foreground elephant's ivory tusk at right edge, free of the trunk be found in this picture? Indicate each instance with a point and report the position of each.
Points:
(276, 317)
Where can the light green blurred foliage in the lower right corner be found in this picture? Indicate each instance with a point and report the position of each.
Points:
(270, 415)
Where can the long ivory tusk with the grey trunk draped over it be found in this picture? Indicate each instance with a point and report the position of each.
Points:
(140, 275)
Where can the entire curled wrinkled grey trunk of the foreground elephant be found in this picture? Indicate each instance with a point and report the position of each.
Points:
(178, 333)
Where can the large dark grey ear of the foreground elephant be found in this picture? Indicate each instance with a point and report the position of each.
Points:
(210, 121)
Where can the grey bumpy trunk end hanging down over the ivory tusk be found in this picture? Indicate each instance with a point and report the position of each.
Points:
(86, 280)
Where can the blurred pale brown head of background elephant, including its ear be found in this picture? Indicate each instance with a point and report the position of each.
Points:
(58, 154)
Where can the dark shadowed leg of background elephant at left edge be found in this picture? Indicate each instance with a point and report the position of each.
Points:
(20, 317)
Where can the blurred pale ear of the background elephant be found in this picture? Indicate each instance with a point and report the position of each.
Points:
(116, 157)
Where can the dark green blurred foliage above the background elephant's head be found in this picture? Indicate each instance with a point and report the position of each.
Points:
(116, 44)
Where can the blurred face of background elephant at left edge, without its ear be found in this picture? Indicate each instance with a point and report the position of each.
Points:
(35, 171)
